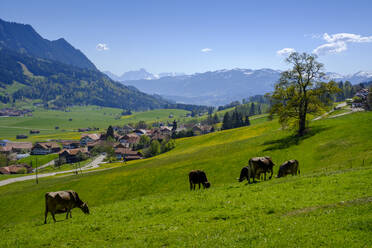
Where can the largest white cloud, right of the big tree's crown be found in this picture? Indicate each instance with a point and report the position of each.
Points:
(337, 43)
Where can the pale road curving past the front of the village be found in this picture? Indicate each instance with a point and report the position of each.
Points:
(94, 164)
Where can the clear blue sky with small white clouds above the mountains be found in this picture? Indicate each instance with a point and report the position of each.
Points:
(196, 36)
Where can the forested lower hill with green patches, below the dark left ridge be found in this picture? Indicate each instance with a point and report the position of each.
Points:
(60, 85)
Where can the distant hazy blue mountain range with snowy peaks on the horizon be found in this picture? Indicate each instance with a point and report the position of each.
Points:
(222, 86)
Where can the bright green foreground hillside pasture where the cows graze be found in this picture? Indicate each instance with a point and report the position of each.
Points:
(148, 203)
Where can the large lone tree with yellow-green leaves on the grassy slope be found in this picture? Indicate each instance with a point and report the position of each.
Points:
(300, 91)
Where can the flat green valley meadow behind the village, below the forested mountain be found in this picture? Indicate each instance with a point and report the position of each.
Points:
(82, 117)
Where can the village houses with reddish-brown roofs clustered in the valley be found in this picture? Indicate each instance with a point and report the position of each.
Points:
(124, 144)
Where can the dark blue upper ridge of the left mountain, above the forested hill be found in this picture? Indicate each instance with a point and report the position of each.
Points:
(24, 39)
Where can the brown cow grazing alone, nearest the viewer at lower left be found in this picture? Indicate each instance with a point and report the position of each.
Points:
(62, 202)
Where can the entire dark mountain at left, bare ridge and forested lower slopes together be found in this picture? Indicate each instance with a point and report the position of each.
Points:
(59, 75)
